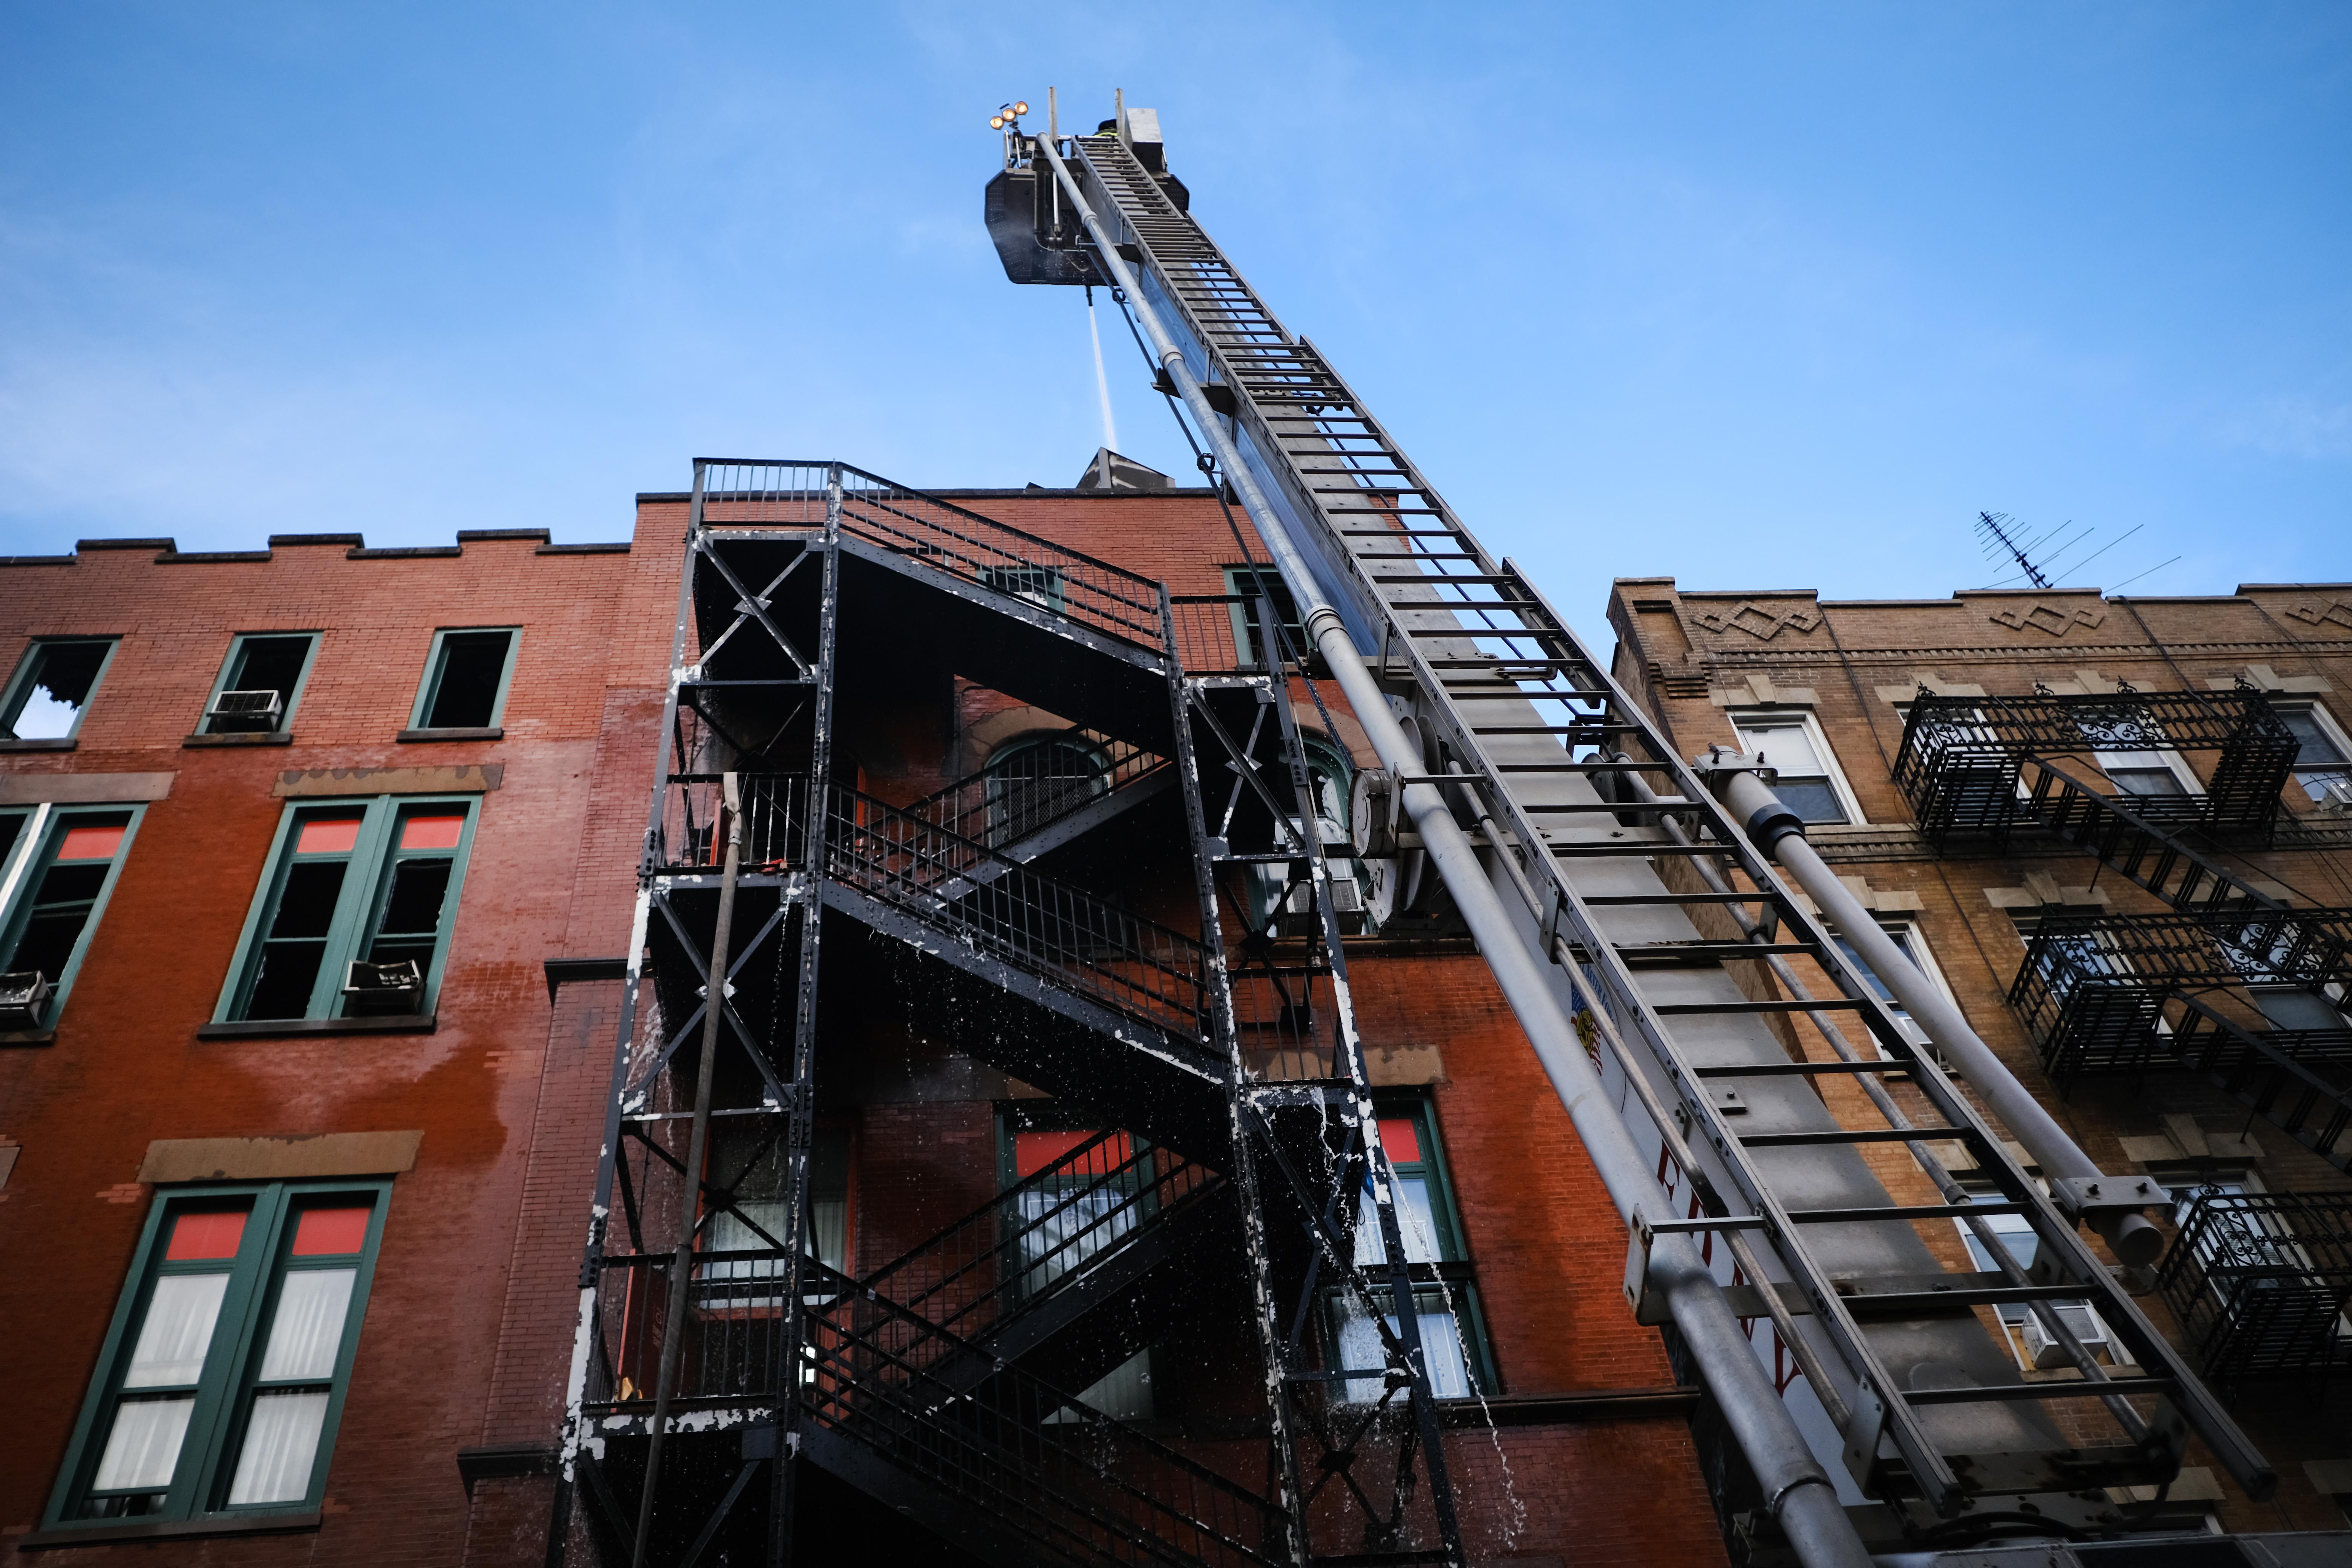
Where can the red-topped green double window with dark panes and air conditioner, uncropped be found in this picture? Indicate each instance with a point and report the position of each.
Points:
(352, 883)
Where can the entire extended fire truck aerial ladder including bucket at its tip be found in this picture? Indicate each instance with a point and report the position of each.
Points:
(1791, 1195)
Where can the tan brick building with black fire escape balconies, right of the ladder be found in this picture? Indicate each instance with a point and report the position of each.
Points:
(2073, 812)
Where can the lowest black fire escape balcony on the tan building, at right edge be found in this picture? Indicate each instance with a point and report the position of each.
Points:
(2261, 1282)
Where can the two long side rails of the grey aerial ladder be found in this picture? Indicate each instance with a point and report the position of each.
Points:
(1495, 605)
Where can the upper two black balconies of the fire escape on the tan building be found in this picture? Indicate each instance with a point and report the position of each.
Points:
(2229, 981)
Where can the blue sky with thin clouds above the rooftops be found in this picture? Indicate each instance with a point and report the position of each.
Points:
(1751, 295)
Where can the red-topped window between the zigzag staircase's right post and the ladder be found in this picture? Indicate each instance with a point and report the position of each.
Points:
(1445, 1292)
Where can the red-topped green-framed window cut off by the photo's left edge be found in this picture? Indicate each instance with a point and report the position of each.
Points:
(58, 869)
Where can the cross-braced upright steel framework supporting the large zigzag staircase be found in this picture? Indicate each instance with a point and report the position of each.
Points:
(733, 887)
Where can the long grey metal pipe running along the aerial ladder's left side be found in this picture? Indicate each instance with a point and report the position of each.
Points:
(1798, 1492)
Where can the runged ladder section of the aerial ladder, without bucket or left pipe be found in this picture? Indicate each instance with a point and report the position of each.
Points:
(1638, 897)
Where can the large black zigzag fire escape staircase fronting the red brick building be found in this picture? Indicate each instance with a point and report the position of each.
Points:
(719, 1355)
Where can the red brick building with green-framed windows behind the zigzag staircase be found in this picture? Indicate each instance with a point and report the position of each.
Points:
(328, 862)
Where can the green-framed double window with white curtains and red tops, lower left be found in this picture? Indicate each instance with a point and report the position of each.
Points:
(225, 1372)
